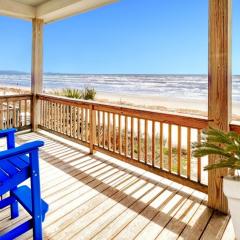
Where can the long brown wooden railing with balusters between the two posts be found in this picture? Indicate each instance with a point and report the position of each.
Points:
(155, 141)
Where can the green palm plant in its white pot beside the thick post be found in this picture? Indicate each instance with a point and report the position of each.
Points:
(227, 146)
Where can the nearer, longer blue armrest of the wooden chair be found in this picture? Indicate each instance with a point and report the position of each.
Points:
(21, 150)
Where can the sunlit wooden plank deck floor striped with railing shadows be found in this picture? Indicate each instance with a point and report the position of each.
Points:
(98, 197)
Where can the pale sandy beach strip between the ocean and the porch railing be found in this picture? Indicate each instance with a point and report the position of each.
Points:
(194, 107)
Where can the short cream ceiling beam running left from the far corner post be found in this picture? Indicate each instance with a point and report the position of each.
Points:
(16, 9)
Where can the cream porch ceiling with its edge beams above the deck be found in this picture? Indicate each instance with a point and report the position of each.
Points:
(48, 10)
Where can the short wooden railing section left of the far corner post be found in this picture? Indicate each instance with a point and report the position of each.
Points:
(15, 111)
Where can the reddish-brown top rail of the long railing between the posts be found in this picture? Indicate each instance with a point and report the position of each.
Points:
(153, 115)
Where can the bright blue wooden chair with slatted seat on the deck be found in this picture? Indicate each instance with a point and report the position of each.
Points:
(18, 164)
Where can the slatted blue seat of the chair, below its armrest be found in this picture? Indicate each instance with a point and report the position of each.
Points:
(13, 171)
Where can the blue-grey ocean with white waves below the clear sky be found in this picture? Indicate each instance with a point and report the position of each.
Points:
(180, 86)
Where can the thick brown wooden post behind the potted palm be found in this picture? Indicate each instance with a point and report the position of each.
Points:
(219, 89)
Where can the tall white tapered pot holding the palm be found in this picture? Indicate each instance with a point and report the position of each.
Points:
(231, 189)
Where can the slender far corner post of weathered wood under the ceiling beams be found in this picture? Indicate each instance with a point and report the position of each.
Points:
(37, 70)
